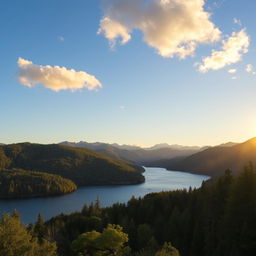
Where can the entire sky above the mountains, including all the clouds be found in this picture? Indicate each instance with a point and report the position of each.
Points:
(137, 72)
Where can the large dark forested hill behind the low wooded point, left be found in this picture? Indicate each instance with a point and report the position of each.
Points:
(82, 166)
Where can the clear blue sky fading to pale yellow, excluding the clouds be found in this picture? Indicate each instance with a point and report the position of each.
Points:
(145, 98)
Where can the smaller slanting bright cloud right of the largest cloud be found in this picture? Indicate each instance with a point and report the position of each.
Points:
(232, 51)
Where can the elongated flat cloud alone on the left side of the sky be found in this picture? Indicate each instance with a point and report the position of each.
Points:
(54, 77)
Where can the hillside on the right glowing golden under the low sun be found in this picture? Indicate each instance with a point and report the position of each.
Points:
(215, 160)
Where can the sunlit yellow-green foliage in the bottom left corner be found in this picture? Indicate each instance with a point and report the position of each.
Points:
(15, 240)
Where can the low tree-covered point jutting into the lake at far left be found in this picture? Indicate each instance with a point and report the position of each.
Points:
(18, 183)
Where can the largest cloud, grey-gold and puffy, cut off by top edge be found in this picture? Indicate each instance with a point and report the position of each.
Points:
(172, 27)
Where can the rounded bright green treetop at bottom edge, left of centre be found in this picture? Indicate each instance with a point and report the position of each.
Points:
(93, 243)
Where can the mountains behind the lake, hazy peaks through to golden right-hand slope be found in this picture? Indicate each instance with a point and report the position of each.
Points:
(212, 161)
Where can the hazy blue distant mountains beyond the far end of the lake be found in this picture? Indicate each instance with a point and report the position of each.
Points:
(134, 154)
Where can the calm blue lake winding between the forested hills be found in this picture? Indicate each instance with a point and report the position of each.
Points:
(157, 179)
